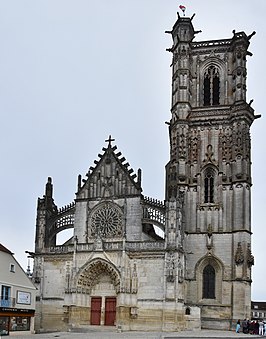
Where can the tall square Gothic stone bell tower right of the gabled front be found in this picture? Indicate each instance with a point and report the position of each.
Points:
(210, 170)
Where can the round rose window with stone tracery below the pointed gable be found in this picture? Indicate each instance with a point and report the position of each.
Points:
(106, 221)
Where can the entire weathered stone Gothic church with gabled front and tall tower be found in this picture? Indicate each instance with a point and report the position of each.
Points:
(116, 270)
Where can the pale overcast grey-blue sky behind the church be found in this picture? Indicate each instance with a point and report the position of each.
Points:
(74, 71)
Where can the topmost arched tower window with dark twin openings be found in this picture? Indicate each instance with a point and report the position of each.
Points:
(211, 87)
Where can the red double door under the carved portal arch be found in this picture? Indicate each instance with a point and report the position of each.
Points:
(103, 311)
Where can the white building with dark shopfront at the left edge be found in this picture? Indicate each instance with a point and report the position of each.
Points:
(18, 294)
